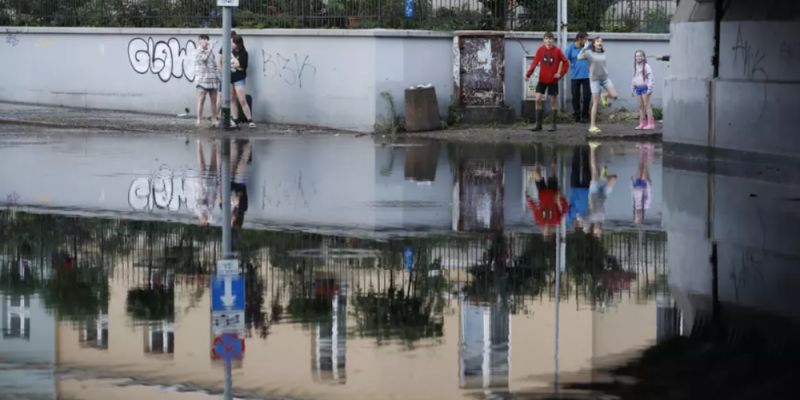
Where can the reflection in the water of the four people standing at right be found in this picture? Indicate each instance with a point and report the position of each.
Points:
(590, 187)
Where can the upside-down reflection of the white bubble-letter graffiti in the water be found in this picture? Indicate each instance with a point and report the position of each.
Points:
(164, 190)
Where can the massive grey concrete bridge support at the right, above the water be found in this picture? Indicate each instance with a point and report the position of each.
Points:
(749, 105)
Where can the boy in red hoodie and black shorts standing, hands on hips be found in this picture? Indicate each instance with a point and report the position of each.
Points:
(550, 58)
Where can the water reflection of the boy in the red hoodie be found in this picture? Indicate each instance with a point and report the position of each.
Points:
(552, 205)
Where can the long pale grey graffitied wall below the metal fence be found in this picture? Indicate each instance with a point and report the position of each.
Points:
(330, 78)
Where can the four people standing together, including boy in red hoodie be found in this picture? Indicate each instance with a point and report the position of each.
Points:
(586, 62)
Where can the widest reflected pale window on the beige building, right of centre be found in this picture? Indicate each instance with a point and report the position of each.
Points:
(485, 345)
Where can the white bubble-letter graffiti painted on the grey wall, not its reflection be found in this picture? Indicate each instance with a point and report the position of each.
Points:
(166, 59)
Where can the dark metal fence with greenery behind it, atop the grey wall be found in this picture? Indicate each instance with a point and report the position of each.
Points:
(443, 15)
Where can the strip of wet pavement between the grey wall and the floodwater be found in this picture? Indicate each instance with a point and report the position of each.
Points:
(16, 118)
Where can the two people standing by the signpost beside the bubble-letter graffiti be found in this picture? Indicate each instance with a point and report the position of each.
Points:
(208, 80)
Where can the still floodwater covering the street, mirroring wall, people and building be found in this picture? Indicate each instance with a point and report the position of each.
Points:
(394, 270)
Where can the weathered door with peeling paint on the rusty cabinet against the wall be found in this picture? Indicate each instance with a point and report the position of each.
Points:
(481, 70)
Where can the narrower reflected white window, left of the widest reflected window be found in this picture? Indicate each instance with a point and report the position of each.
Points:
(328, 346)
